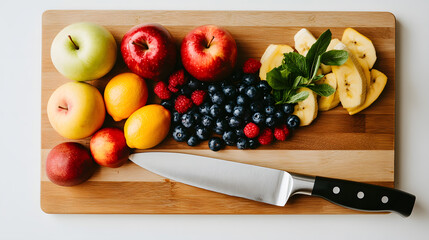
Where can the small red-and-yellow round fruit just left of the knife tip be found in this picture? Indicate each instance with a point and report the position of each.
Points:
(109, 148)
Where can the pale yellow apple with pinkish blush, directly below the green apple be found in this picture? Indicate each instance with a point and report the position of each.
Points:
(76, 110)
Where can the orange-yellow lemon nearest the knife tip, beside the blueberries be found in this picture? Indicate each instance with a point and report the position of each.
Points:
(147, 126)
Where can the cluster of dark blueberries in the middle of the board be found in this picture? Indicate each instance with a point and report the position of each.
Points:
(229, 106)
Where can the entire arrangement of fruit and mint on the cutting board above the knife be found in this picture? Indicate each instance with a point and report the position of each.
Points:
(204, 95)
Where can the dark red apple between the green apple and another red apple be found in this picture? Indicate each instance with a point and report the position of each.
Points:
(149, 51)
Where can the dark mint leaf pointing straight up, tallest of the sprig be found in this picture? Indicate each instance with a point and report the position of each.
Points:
(317, 49)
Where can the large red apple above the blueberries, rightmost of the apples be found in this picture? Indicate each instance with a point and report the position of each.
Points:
(209, 53)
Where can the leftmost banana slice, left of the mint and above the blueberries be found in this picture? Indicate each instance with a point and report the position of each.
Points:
(272, 57)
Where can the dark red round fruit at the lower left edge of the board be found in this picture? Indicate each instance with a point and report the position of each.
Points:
(69, 164)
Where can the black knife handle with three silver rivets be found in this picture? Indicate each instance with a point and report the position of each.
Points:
(362, 196)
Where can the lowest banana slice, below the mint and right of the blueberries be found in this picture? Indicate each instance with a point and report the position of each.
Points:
(306, 110)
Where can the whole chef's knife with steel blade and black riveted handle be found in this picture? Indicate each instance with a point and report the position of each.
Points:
(269, 185)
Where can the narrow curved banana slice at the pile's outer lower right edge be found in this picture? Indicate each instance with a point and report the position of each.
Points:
(376, 85)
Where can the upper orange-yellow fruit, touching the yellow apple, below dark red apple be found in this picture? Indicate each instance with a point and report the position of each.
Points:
(124, 94)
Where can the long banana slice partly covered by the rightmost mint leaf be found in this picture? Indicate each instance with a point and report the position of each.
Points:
(351, 80)
